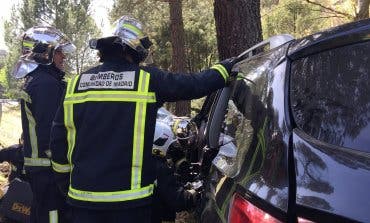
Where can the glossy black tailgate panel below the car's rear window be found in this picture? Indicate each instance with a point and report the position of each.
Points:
(331, 178)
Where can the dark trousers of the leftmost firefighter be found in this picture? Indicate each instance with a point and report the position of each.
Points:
(48, 202)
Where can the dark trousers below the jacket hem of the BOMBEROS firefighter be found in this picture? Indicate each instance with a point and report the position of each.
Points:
(131, 215)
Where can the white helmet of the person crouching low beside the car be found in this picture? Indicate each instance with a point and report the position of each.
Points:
(163, 138)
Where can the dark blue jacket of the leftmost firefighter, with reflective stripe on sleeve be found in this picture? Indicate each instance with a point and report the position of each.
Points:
(41, 97)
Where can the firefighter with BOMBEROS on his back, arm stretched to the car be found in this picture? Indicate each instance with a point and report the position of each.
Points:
(102, 135)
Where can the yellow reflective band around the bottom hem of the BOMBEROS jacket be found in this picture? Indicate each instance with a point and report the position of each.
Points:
(115, 196)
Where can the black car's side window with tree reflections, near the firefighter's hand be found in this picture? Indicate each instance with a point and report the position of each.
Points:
(247, 112)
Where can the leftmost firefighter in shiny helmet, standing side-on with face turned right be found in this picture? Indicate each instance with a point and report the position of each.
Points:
(41, 63)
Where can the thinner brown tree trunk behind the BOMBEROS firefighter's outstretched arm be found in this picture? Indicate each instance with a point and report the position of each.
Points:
(178, 49)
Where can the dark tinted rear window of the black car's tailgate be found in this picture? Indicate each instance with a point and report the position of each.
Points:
(330, 96)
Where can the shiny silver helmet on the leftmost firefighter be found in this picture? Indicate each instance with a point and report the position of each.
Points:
(38, 47)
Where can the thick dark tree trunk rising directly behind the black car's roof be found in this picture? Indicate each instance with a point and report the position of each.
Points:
(238, 26)
